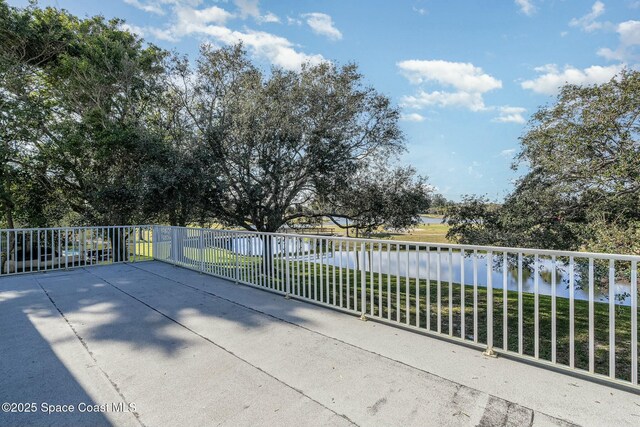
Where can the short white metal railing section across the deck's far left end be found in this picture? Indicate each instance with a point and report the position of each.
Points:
(24, 250)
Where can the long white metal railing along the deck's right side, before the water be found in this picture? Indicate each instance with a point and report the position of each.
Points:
(573, 310)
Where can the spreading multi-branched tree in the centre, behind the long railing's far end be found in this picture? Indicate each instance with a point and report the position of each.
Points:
(285, 140)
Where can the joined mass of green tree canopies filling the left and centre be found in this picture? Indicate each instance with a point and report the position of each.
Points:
(100, 127)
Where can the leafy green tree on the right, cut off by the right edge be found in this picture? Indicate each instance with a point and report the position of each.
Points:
(584, 175)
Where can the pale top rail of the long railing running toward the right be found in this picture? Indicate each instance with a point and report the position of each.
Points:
(483, 248)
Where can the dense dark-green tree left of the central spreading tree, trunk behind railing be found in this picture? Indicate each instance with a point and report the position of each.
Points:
(84, 88)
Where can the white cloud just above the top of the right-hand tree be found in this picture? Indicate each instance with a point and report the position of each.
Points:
(552, 78)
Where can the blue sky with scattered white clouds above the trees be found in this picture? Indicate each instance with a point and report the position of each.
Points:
(467, 74)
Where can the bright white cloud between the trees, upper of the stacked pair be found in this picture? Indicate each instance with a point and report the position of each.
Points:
(463, 76)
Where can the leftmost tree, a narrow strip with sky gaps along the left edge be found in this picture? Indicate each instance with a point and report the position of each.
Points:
(30, 41)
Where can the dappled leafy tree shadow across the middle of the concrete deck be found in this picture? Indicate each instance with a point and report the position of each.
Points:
(131, 306)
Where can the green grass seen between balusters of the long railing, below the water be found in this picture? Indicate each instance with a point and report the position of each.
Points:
(320, 285)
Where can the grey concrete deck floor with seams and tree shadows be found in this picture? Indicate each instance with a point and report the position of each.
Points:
(179, 348)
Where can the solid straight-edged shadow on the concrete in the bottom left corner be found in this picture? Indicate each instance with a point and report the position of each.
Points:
(30, 371)
